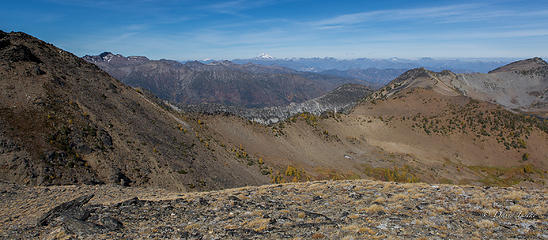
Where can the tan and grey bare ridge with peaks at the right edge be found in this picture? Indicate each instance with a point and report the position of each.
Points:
(522, 85)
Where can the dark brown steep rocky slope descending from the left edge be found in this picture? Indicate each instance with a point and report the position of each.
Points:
(64, 121)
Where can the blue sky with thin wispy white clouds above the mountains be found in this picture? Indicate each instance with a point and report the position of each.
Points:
(185, 29)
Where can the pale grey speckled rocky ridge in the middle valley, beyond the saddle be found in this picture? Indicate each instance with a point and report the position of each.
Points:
(340, 100)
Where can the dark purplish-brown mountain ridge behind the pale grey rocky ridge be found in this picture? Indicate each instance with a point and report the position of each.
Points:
(224, 82)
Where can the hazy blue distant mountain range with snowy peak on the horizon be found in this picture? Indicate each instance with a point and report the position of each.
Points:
(481, 65)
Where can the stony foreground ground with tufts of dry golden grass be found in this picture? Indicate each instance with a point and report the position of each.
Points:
(358, 209)
